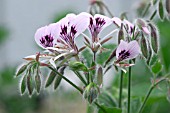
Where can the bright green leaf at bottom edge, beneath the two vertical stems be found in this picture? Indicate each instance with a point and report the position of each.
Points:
(105, 109)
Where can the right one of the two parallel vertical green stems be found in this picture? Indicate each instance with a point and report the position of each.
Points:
(129, 88)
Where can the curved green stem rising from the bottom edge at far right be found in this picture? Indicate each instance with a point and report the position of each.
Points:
(148, 94)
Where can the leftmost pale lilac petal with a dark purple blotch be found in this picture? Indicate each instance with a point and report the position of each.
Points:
(44, 37)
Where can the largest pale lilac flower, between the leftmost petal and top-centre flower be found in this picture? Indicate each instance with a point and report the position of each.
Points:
(67, 29)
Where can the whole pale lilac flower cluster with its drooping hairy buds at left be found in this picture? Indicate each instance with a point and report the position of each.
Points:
(61, 50)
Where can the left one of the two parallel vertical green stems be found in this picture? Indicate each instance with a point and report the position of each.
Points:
(120, 89)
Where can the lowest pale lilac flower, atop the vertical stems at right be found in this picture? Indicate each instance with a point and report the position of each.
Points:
(127, 51)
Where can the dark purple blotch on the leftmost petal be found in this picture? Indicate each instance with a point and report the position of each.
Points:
(47, 41)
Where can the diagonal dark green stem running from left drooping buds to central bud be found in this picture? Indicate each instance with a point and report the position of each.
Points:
(71, 83)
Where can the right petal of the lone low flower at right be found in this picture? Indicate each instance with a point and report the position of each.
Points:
(134, 49)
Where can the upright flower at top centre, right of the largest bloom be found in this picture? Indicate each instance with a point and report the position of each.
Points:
(97, 24)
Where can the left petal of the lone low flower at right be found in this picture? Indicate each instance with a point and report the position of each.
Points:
(121, 47)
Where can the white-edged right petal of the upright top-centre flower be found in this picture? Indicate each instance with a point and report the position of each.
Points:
(103, 21)
